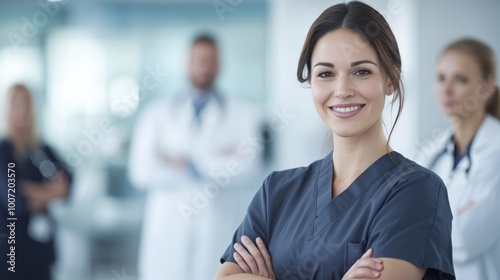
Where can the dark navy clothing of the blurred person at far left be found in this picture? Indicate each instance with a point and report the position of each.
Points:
(33, 259)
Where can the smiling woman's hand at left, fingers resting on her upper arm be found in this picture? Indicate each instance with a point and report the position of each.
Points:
(254, 259)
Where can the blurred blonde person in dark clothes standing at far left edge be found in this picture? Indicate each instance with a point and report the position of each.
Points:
(39, 178)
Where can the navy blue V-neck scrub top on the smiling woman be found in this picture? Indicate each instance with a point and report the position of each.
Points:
(396, 207)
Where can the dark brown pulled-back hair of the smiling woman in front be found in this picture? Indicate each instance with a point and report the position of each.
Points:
(372, 27)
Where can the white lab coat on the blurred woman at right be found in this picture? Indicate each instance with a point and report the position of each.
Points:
(474, 199)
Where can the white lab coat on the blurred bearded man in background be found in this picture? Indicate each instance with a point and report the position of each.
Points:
(189, 222)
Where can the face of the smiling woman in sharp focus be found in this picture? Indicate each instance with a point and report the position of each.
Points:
(348, 83)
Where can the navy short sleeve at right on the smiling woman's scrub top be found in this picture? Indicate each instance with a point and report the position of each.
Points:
(414, 225)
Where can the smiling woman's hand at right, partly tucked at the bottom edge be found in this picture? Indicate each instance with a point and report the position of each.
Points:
(365, 267)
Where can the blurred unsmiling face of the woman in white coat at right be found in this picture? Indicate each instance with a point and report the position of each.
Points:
(460, 89)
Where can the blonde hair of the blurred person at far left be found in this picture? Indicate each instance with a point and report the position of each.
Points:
(22, 140)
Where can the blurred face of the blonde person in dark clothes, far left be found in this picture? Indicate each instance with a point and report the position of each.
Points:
(20, 110)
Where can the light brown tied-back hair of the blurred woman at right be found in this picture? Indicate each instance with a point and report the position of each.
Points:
(485, 58)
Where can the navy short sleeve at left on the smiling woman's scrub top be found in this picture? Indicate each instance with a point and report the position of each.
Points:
(254, 224)
